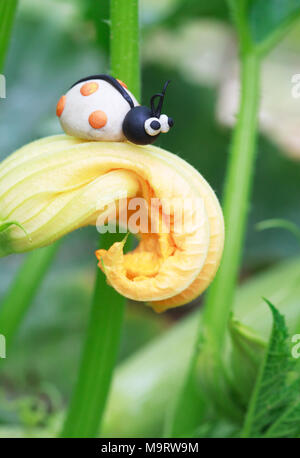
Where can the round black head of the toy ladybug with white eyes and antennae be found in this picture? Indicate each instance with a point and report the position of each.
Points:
(142, 125)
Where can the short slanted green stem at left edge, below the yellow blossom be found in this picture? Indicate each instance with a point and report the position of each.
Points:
(20, 296)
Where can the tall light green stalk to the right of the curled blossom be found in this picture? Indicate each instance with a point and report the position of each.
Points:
(210, 342)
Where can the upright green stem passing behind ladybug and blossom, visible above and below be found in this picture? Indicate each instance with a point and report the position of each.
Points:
(105, 325)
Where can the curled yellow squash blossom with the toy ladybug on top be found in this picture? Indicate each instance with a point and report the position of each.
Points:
(55, 185)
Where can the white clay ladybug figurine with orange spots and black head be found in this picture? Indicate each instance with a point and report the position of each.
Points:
(101, 108)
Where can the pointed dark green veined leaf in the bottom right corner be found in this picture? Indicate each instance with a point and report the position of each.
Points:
(274, 399)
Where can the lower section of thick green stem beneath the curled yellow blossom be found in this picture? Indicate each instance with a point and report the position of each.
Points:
(98, 359)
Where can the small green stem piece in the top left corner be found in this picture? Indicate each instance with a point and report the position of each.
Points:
(7, 15)
